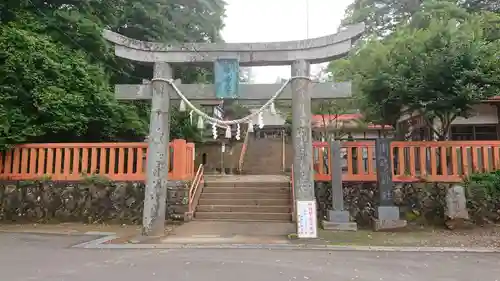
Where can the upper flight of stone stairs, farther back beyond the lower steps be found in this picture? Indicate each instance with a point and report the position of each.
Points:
(263, 157)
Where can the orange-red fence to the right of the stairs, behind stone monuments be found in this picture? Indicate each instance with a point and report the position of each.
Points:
(449, 161)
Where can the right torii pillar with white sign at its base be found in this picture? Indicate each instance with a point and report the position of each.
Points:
(303, 175)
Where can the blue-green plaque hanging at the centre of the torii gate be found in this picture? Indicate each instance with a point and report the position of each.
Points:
(227, 78)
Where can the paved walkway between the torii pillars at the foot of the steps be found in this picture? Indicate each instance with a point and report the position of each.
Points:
(231, 232)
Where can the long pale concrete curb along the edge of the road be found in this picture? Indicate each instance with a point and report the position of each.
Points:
(100, 244)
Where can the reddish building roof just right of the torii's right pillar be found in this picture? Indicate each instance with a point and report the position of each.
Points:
(344, 120)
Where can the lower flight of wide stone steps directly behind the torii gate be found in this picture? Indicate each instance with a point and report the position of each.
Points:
(245, 198)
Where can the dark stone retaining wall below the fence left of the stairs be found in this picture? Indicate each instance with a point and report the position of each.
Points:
(89, 201)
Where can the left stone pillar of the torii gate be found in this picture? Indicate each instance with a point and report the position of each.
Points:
(153, 221)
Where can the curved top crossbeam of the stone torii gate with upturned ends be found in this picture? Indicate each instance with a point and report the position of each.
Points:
(316, 50)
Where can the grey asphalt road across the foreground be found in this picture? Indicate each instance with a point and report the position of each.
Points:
(50, 258)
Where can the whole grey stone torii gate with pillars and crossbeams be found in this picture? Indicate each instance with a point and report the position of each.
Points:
(299, 54)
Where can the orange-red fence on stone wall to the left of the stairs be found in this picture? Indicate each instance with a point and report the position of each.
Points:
(70, 161)
